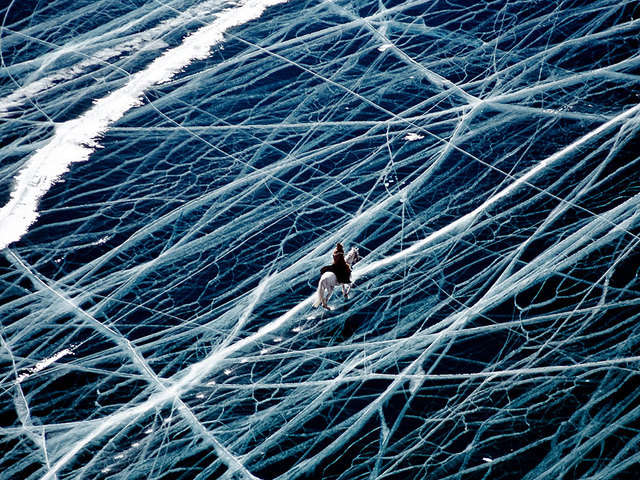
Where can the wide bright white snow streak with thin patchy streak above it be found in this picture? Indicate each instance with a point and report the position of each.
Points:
(75, 140)
